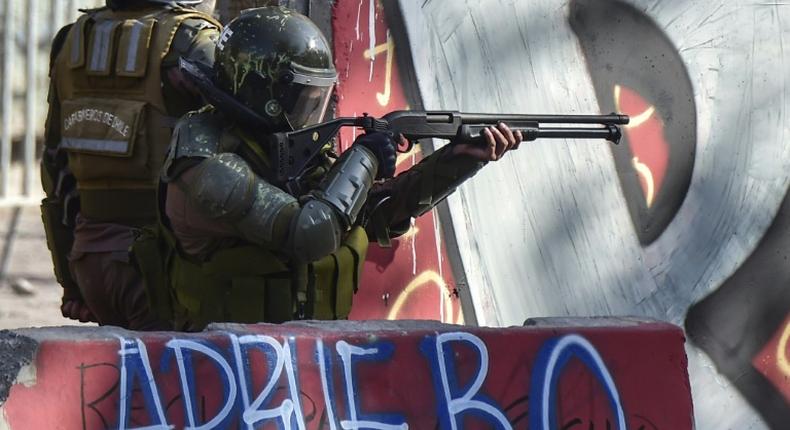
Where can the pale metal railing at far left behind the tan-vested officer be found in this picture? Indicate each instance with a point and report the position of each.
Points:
(27, 31)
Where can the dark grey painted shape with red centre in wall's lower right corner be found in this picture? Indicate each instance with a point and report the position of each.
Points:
(744, 326)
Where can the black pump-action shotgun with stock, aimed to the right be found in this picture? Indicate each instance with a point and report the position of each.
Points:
(293, 151)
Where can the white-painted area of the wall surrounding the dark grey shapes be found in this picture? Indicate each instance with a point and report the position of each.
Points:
(546, 231)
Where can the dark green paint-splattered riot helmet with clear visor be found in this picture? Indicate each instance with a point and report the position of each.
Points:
(277, 63)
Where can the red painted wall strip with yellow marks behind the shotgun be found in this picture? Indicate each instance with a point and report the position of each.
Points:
(412, 279)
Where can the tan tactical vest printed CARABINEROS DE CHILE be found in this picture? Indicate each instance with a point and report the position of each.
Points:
(114, 123)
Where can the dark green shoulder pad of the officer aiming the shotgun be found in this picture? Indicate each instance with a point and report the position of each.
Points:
(196, 135)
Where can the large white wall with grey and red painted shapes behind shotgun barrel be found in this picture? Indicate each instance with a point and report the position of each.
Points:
(686, 208)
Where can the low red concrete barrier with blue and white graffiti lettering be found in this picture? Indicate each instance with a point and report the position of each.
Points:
(628, 374)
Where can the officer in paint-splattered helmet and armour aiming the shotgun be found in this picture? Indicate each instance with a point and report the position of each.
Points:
(244, 250)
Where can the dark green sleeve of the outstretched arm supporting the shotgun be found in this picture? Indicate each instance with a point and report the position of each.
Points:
(392, 204)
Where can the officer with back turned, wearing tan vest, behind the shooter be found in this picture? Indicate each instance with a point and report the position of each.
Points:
(115, 95)
